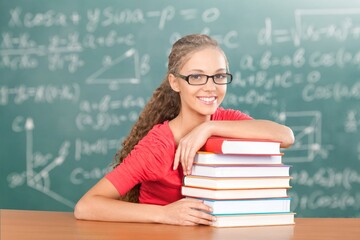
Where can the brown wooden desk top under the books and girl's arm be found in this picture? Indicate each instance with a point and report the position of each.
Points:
(17, 224)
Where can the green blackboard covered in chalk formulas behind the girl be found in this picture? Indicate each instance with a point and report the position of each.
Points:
(76, 74)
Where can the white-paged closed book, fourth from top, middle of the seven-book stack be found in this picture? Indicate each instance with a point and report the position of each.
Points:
(236, 183)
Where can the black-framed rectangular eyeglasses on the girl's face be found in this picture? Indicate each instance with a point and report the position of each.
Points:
(202, 79)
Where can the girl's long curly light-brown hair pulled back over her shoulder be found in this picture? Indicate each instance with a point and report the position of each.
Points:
(165, 102)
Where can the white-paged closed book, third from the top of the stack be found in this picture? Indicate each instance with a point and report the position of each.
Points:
(274, 170)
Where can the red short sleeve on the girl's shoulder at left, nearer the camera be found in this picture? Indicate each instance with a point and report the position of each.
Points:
(150, 160)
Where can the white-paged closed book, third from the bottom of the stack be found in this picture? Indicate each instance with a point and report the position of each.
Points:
(233, 193)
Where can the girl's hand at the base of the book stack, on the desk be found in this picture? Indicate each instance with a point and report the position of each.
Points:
(187, 212)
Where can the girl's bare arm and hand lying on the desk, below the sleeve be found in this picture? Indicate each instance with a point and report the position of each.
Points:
(101, 203)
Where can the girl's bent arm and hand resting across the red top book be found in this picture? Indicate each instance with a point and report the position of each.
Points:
(257, 129)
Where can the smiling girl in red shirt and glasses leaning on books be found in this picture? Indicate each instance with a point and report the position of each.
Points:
(145, 185)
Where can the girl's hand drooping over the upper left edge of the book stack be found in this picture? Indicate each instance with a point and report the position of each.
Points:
(189, 145)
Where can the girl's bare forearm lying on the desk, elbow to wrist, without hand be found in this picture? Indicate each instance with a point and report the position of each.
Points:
(106, 209)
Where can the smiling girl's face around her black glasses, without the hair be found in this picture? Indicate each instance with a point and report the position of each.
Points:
(201, 99)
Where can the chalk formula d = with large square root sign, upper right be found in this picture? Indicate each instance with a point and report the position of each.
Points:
(341, 29)
